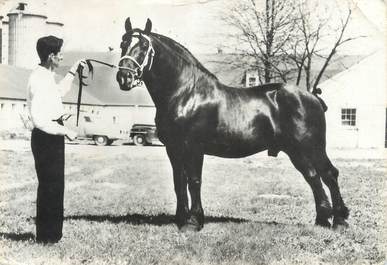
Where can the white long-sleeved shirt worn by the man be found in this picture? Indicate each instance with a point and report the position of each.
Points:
(44, 99)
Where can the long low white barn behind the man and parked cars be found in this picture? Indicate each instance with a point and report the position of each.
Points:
(14, 112)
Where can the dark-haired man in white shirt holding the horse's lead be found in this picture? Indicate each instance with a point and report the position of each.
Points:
(44, 97)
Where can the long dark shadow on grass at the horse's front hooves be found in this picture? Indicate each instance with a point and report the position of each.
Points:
(159, 220)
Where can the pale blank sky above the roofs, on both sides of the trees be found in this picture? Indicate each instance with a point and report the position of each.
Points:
(94, 25)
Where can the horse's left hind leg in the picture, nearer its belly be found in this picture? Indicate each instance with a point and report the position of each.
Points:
(323, 207)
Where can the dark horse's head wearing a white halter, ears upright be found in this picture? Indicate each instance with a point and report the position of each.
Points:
(136, 55)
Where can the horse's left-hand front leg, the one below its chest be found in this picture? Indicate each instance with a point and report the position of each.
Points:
(175, 155)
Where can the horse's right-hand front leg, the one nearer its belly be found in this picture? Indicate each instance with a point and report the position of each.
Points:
(193, 164)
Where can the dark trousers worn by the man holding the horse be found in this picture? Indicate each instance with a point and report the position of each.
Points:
(48, 151)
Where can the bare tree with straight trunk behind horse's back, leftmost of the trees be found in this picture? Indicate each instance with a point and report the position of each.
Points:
(263, 31)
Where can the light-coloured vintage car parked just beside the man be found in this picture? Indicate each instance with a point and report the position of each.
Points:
(95, 128)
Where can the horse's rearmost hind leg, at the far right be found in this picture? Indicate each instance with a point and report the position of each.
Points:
(329, 175)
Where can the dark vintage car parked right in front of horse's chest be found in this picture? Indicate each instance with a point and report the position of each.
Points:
(144, 134)
